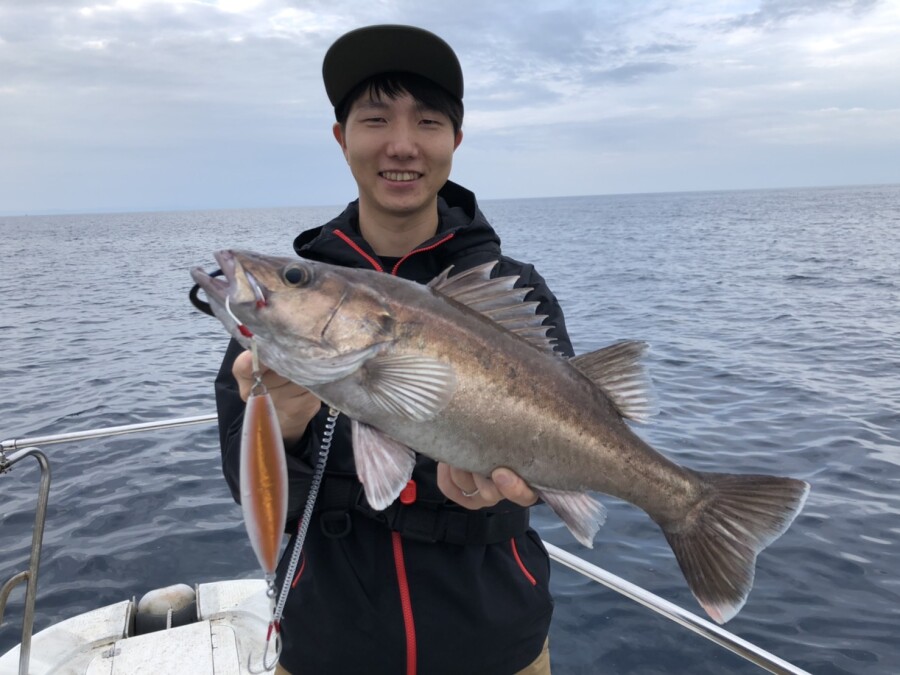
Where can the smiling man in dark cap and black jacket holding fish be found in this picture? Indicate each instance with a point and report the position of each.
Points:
(450, 578)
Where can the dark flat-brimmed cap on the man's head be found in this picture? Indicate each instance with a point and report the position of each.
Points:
(364, 52)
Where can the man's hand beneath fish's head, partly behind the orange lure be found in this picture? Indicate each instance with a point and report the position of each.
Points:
(295, 405)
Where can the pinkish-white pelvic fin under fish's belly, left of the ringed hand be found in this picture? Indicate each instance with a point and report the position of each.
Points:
(383, 465)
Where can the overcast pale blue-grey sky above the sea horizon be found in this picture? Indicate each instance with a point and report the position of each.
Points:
(192, 104)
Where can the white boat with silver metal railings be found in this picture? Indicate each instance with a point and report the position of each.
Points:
(218, 628)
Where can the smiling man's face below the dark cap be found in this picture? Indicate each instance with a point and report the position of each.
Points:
(399, 153)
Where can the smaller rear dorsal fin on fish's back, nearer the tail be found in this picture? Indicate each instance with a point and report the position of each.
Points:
(616, 370)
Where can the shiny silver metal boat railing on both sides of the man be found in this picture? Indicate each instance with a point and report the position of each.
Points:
(25, 447)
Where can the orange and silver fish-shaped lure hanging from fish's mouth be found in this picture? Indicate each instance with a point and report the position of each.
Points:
(263, 480)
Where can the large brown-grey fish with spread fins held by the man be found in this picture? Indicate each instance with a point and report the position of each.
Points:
(462, 371)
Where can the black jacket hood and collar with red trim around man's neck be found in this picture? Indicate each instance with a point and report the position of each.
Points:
(464, 239)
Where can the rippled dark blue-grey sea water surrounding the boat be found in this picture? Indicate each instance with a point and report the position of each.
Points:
(774, 323)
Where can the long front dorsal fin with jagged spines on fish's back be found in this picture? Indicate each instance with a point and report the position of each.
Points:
(498, 300)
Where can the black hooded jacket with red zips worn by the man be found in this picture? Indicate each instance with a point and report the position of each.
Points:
(426, 586)
